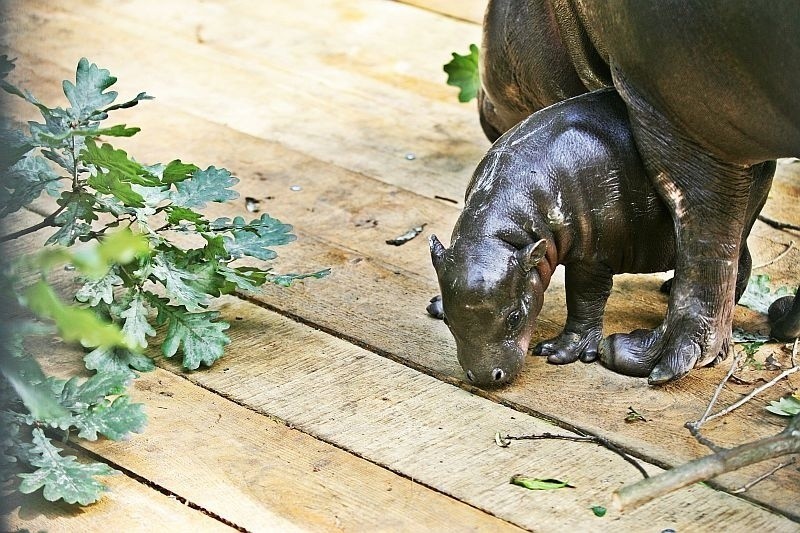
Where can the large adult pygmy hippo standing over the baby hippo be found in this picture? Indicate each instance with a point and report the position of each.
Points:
(711, 90)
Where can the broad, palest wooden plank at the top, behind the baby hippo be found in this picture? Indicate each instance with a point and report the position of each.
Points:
(349, 109)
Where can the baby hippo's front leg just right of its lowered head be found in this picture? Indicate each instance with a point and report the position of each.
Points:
(587, 288)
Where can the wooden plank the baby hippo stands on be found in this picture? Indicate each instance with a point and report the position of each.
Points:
(368, 312)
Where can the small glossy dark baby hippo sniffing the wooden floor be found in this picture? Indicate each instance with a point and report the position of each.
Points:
(565, 186)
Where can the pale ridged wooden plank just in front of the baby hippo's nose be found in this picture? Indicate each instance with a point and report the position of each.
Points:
(440, 435)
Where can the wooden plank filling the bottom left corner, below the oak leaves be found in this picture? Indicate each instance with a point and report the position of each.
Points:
(128, 506)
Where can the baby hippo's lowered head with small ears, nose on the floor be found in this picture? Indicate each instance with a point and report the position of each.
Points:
(491, 294)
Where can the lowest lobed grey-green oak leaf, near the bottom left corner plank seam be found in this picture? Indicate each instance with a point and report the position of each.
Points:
(63, 478)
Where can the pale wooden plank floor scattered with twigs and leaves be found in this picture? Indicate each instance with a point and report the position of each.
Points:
(340, 404)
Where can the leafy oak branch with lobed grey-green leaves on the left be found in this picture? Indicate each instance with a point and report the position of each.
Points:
(134, 272)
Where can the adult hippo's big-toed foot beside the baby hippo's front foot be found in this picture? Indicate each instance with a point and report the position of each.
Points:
(660, 357)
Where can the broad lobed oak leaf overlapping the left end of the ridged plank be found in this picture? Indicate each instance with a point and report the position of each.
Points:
(199, 335)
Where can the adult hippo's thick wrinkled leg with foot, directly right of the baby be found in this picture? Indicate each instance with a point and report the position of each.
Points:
(709, 202)
